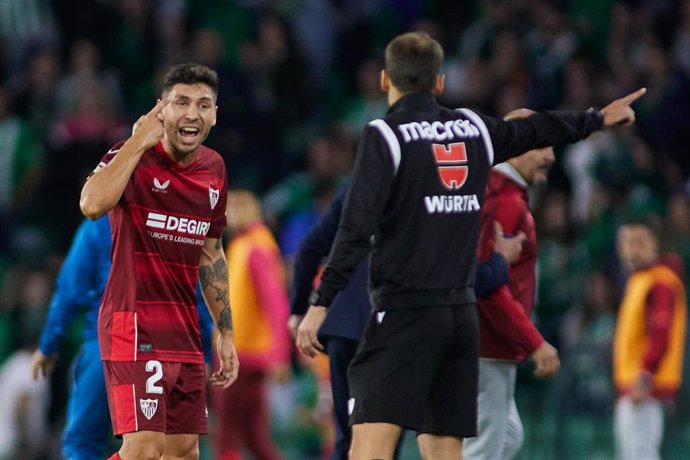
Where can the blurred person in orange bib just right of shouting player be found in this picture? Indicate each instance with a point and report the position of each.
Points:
(260, 310)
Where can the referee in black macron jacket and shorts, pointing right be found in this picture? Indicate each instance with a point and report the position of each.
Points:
(418, 187)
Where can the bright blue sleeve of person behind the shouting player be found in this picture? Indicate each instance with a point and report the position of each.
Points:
(74, 287)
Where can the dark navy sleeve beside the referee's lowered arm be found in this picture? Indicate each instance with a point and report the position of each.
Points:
(313, 249)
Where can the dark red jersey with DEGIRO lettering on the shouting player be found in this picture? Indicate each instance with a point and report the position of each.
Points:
(159, 227)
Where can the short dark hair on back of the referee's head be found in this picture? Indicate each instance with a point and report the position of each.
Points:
(413, 61)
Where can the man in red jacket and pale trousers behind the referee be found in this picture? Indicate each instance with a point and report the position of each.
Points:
(507, 334)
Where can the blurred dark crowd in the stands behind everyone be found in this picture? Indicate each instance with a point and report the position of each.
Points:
(298, 82)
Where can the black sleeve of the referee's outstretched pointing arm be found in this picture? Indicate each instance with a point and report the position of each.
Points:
(515, 137)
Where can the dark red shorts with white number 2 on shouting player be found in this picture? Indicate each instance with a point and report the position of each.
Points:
(156, 396)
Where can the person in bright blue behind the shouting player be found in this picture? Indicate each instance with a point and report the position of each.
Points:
(79, 289)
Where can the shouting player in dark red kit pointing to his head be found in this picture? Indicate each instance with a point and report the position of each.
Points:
(166, 195)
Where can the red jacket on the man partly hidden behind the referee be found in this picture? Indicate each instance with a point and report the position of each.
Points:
(506, 330)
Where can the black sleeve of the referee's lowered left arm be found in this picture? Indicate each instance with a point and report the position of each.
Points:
(372, 177)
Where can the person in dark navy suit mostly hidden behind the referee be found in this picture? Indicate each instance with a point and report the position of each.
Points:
(349, 312)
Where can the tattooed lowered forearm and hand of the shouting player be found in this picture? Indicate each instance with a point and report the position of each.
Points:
(213, 275)
